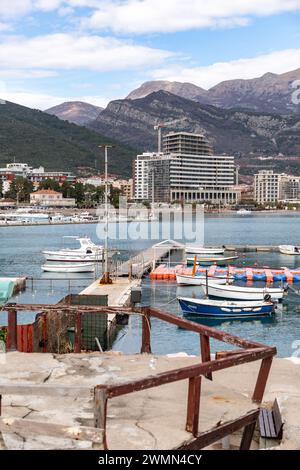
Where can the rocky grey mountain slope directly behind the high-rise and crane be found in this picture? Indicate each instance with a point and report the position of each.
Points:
(240, 132)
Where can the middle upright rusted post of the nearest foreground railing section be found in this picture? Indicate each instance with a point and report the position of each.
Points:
(193, 406)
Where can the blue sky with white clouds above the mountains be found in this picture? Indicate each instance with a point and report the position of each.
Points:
(53, 51)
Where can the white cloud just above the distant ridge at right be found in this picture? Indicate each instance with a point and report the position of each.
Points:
(208, 76)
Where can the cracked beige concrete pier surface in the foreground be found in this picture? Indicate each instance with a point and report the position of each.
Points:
(151, 419)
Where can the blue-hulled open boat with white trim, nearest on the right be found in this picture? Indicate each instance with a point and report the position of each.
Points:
(225, 308)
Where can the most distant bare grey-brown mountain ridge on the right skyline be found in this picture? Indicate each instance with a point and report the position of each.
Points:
(270, 93)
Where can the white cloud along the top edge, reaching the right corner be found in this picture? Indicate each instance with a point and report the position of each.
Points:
(149, 16)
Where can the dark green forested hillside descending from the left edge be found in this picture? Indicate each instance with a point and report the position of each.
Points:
(34, 137)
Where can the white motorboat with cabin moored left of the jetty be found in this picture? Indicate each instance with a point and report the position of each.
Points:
(88, 251)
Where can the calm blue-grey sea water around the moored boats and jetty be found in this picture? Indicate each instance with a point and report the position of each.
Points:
(21, 254)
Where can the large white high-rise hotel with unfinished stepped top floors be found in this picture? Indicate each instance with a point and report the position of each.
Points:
(186, 170)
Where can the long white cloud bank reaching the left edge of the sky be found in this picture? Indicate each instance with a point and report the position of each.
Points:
(70, 52)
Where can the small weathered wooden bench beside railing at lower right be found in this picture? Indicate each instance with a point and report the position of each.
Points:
(270, 422)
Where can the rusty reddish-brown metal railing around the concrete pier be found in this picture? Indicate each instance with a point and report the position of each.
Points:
(248, 351)
